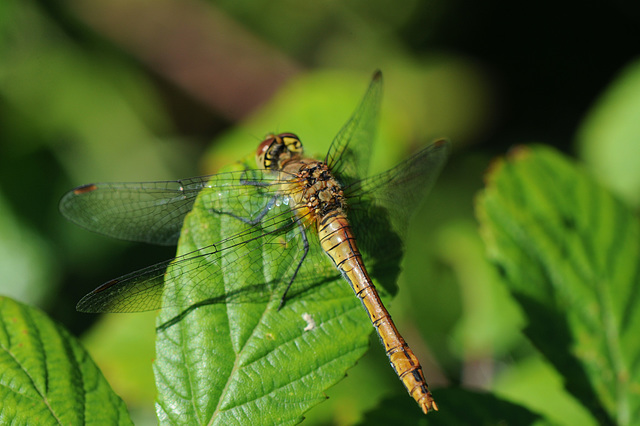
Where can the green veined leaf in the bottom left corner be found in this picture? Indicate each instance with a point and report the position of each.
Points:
(47, 377)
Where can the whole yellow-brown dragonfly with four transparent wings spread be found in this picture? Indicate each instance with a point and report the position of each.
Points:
(290, 205)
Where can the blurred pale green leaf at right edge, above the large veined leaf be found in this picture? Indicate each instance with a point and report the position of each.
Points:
(609, 138)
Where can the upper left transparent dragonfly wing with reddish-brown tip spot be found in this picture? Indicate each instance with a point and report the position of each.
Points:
(152, 212)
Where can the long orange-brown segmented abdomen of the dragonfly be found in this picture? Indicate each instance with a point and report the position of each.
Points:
(338, 242)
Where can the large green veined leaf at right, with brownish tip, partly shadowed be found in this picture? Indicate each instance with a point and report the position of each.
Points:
(569, 253)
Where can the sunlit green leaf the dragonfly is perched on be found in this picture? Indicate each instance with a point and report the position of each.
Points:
(222, 362)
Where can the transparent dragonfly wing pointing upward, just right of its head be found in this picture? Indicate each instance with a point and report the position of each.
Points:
(349, 154)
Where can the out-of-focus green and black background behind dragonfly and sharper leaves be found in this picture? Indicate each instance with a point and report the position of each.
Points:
(143, 90)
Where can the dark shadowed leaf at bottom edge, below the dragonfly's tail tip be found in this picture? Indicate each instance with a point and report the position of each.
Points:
(457, 407)
